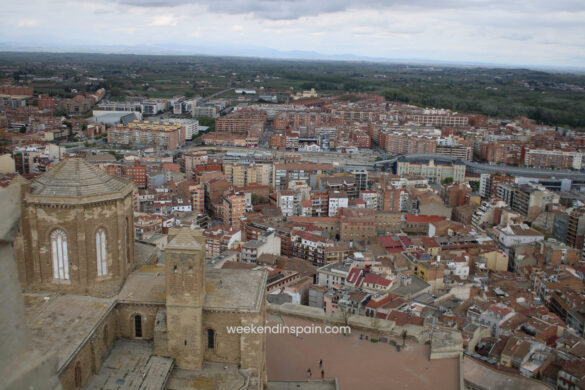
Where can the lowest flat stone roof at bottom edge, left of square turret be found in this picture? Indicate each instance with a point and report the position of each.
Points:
(131, 365)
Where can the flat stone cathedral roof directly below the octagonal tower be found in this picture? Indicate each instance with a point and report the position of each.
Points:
(62, 323)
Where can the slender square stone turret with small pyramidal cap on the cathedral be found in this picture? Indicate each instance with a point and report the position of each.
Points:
(185, 295)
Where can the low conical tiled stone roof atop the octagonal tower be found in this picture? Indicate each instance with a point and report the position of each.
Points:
(75, 177)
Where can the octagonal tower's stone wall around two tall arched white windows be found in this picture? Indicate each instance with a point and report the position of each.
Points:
(80, 223)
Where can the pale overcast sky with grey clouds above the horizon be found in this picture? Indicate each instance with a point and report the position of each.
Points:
(530, 32)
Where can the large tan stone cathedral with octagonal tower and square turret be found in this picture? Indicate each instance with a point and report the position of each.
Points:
(91, 303)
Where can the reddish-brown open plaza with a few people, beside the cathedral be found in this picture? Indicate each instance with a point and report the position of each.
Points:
(358, 364)
